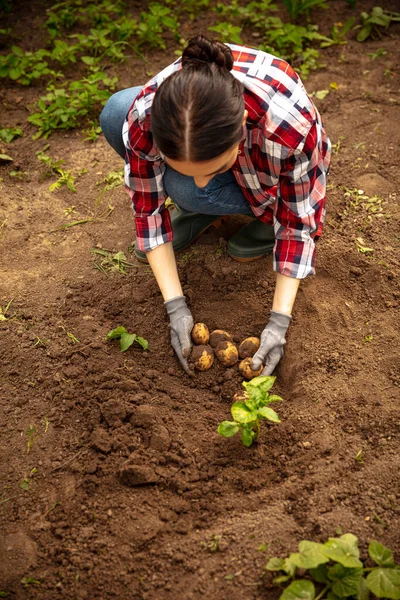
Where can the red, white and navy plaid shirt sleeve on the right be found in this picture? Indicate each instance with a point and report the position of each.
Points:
(300, 207)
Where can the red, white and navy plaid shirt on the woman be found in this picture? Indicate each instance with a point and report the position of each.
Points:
(281, 166)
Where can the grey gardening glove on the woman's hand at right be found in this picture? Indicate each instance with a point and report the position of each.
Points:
(270, 351)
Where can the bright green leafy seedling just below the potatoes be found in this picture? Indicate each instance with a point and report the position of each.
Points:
(248, 414)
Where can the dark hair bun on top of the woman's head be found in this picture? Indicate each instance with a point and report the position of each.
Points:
(202, 50)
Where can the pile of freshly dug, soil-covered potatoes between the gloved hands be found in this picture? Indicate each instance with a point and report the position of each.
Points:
(219, 344)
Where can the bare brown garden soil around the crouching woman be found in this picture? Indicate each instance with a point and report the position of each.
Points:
(130, 492)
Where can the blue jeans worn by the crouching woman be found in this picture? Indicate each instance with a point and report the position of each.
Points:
(221, 196)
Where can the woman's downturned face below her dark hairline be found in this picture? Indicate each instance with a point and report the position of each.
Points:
(202, 172)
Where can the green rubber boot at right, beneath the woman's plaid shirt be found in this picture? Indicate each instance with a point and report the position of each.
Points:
(251, 242)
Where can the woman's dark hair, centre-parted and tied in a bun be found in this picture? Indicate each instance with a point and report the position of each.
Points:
(197, 112)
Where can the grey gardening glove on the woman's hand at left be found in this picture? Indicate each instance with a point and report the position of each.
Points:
(181, 325)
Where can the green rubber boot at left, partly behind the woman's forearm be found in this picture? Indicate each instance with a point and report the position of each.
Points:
(187, 227)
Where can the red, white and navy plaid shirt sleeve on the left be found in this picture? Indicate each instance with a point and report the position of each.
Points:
(144, 170)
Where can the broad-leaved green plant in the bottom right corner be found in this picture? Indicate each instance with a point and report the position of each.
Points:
(334, 570)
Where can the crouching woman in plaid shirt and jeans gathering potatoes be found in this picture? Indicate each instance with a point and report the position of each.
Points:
(224, 130)
